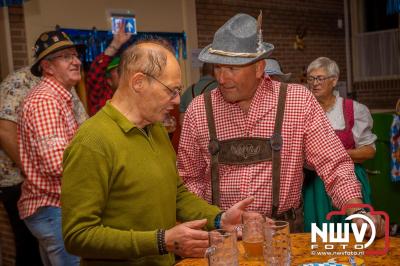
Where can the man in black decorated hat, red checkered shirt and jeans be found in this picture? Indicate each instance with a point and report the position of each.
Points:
(46, 124)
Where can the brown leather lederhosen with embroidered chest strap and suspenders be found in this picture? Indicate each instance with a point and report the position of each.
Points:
(246, 150)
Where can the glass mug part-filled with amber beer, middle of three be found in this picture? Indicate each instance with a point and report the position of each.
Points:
(252, 235)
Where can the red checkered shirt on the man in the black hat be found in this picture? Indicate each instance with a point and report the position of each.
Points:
(46, 124)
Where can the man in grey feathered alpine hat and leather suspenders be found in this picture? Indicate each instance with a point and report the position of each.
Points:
(251, 135)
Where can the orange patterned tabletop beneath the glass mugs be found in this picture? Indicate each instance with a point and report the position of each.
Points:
(301, 253)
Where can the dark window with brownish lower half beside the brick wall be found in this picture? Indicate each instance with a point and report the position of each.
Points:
(375, 41)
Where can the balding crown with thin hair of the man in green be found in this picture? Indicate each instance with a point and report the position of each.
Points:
(150, 60)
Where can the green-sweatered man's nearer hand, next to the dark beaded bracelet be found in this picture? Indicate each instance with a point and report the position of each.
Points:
(187, 239)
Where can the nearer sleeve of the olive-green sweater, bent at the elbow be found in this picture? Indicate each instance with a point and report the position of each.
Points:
(84, 194)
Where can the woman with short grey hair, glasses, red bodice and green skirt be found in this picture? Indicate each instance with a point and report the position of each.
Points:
(352, 123)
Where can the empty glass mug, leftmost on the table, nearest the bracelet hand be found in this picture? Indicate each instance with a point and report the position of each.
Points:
(222, 249)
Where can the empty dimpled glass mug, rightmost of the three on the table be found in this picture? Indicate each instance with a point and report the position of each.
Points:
(277, 251)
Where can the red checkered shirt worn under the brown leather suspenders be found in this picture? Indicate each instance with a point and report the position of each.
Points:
(307, 136)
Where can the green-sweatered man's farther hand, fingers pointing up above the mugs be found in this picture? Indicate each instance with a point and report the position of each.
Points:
(232, 217)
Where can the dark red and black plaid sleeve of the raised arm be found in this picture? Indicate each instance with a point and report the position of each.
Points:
(97, 87)
